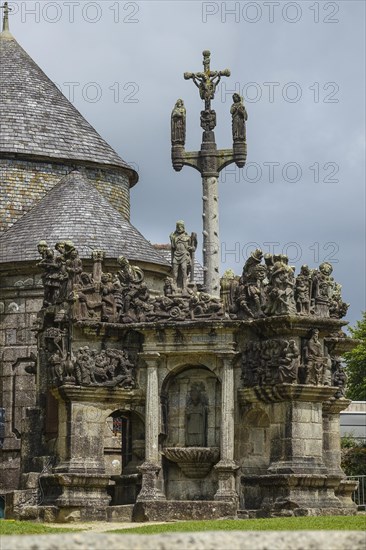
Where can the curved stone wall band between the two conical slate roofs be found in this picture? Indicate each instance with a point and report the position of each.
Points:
(24, 183)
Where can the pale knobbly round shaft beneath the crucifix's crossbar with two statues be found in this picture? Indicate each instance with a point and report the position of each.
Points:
(211, 239)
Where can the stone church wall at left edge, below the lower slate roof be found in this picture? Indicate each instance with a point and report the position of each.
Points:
(20, 299)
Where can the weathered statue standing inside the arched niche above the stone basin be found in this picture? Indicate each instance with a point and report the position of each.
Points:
(196, 416)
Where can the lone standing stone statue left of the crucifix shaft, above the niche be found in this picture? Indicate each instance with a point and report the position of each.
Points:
(182, 248)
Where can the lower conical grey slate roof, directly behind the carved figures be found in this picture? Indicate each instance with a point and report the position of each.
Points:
(74, 210)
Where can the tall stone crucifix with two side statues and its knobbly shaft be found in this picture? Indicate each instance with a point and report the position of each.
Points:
(209, 161)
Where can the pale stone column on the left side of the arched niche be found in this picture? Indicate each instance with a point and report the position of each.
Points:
(150, 469)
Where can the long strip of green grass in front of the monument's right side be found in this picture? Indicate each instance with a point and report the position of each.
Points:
(273, 524)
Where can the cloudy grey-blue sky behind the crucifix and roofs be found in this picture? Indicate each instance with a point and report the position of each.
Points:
(301, 69)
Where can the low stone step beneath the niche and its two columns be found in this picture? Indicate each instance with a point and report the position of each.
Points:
(170, 510)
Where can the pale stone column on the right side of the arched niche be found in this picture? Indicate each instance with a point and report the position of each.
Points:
(227, 467)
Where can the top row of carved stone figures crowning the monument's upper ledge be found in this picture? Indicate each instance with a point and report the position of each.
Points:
(266, 288)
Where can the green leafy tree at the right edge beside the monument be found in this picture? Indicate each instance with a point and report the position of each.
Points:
(356, 363)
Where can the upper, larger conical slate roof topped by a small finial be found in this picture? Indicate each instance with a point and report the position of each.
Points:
(37, 119)
